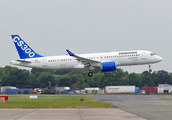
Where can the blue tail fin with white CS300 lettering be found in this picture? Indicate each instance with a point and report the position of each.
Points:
(23, 49)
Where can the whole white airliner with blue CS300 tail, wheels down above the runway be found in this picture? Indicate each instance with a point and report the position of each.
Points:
(105, 62)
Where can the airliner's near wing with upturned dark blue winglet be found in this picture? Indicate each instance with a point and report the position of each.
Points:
(87, 62)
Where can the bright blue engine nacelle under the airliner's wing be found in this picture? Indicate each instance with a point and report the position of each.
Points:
(108, 66)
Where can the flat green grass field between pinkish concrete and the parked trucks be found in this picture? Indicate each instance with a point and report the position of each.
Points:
(53, 101)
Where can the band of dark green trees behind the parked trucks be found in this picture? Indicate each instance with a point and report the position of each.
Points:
(39, 78)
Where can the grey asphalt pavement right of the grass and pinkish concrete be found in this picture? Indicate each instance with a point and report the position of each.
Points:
(147, 106)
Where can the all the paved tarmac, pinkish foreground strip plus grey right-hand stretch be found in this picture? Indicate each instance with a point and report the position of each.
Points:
(131, 107)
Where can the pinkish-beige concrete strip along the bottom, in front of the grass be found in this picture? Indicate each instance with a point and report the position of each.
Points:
(67, 114)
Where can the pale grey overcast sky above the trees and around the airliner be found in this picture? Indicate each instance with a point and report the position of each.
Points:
(88, 26)
